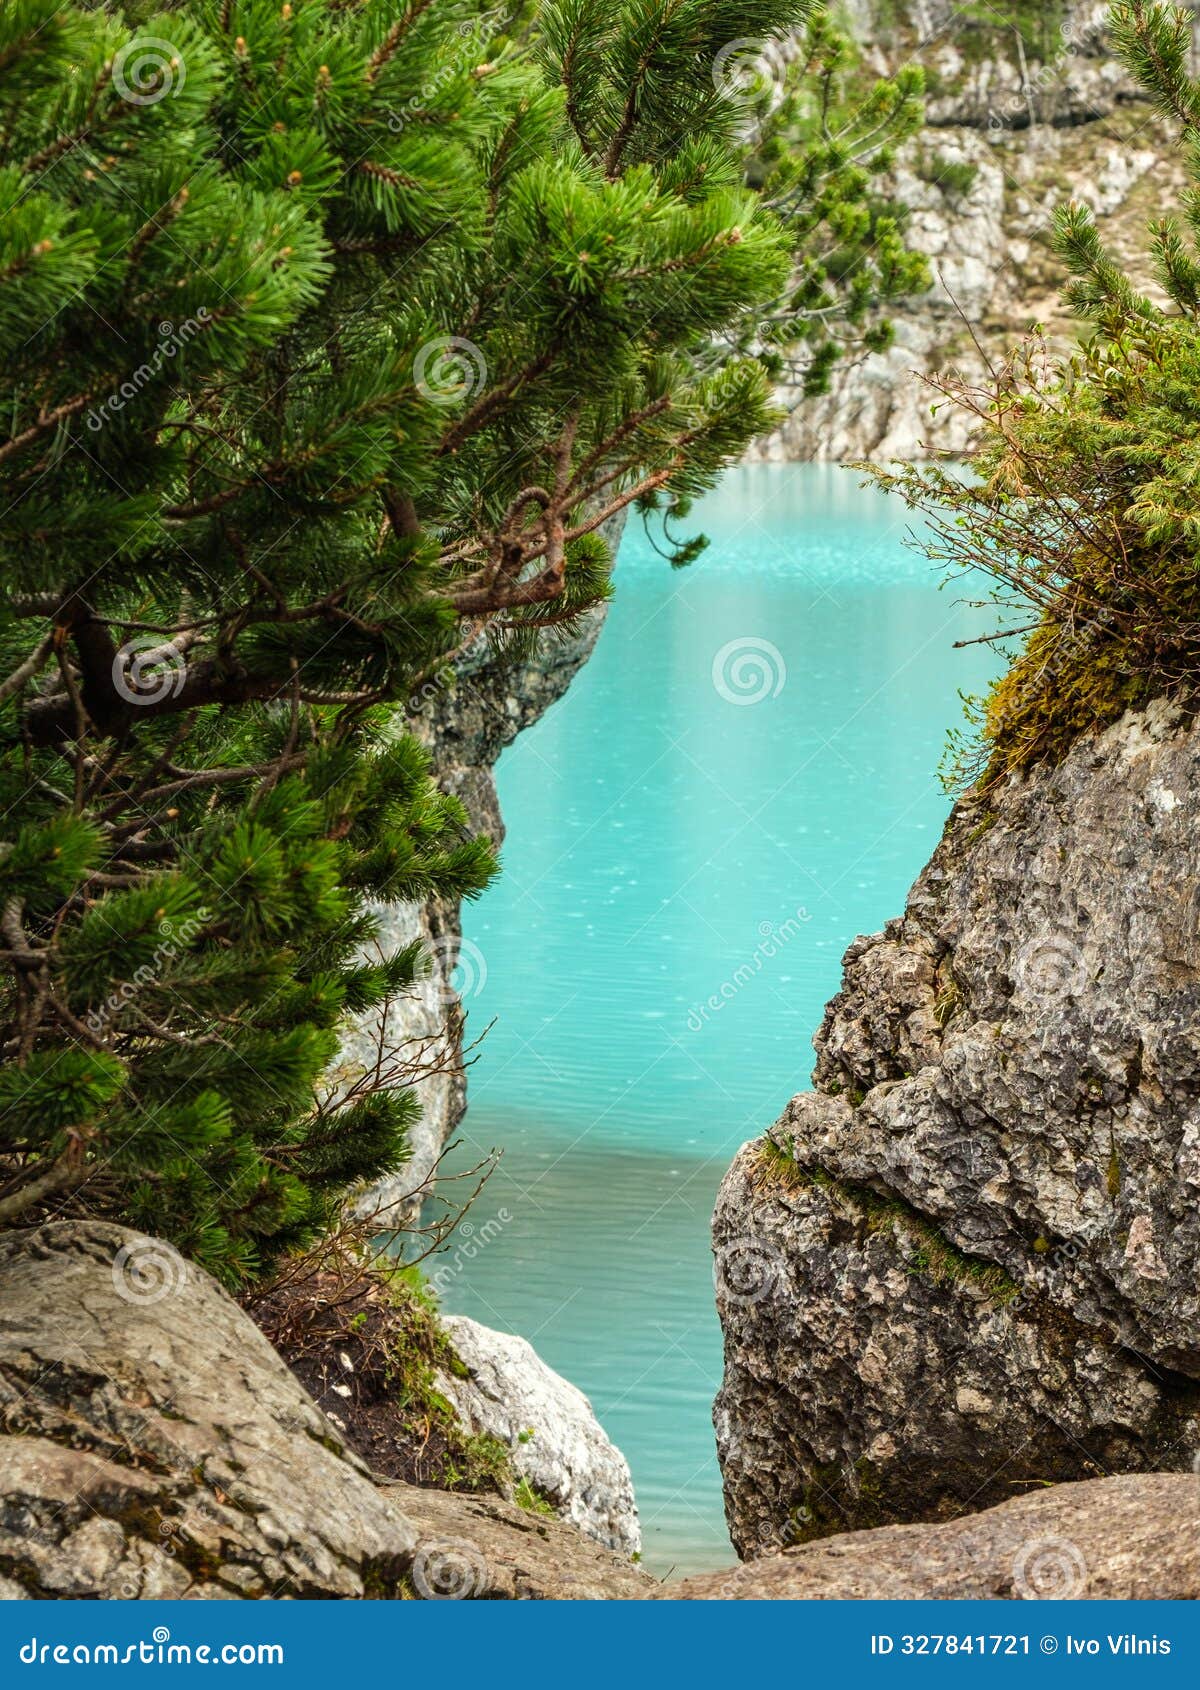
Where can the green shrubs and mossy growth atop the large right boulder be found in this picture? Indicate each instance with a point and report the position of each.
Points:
(1083, 498)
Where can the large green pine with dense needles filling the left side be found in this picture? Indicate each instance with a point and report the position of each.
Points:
(334, 332)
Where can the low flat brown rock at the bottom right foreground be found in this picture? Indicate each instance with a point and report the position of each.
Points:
(1115, 1539)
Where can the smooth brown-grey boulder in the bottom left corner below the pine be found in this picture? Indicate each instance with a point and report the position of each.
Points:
(156, 1446)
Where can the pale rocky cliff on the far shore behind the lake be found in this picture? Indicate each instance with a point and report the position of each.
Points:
(1027, 109)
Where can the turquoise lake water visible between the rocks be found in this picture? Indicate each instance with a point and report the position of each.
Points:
(741, 780)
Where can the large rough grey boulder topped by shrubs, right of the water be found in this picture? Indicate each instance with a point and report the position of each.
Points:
(971, 1260)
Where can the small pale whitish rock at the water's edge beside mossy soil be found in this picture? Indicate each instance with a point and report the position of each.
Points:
(555, 1437)
